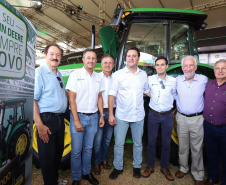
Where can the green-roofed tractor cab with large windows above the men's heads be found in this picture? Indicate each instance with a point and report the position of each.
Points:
(155, 32)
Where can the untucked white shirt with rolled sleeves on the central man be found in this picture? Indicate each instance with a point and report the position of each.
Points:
(128, 88)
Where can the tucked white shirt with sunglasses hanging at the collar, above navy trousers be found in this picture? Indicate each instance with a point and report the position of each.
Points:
(162, 99)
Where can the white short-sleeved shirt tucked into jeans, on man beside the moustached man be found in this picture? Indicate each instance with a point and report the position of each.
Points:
(86, 88)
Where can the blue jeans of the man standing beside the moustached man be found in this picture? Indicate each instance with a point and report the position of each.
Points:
(82, 144)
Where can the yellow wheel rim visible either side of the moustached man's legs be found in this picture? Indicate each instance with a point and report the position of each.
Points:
(67, 138)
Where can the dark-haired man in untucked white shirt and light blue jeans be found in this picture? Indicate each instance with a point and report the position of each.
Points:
(129, 85)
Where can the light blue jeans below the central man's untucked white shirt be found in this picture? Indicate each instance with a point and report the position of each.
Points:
(120, 130)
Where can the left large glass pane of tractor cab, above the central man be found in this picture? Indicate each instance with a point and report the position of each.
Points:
(150, 39)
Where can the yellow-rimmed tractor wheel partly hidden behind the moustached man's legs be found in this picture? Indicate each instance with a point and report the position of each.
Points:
(65, 160)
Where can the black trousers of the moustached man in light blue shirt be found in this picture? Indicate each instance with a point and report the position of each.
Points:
(50, 153)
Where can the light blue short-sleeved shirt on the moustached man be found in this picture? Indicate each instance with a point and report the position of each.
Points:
(50, 96)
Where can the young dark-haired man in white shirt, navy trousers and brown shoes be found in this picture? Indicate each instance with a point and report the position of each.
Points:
(163, 90)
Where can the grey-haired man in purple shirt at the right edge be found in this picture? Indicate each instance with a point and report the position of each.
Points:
(215, 124)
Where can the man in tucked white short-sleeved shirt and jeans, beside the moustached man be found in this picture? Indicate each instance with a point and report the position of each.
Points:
(85, 98)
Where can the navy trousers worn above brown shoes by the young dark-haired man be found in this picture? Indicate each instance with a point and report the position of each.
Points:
(155, 121)
